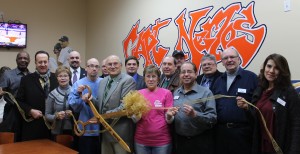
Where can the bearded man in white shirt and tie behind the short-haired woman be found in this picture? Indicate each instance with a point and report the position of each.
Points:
(77, 71)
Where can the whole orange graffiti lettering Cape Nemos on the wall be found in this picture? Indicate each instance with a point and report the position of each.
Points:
(234, 25)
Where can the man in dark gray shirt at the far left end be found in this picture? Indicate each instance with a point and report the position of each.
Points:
(10, 82)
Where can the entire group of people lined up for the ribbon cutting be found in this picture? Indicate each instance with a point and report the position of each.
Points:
(186, 116)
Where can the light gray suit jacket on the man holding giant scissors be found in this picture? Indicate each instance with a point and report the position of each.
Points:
(122, 84)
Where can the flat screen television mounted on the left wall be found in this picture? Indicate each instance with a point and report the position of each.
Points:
(13, 35)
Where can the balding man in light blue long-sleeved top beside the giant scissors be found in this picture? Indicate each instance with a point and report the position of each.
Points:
(89, 142)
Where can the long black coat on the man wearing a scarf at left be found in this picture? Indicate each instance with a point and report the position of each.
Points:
(32, 96)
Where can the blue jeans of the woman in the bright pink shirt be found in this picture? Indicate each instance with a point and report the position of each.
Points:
(143, 149)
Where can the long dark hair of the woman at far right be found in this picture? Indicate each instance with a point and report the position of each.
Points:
(283, 80)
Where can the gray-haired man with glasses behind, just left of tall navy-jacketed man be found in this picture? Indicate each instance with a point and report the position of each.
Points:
(210, 71)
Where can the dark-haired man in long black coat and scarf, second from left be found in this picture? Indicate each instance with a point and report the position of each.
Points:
(33, 91)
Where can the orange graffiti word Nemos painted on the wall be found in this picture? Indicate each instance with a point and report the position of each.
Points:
(232, 26)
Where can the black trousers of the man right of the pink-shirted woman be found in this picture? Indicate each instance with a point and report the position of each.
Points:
(199, 144)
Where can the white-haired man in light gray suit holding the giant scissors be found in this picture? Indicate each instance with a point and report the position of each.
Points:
(114, 88)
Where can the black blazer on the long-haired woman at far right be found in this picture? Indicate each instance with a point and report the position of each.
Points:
(287, 121)
